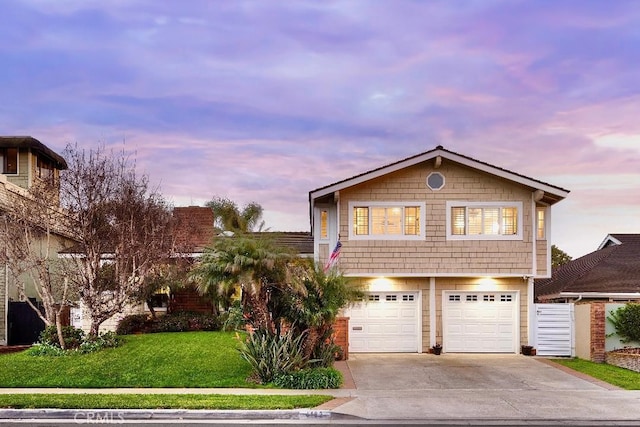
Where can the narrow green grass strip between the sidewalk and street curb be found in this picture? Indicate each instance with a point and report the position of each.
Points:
(160, 401)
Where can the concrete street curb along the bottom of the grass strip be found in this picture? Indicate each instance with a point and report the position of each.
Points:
(115, 415)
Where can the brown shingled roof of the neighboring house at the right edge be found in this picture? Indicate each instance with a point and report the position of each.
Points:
(611, 273)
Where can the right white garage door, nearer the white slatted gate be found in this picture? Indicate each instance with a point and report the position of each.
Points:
(480, 322)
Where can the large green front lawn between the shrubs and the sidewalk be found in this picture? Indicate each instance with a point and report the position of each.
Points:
(188, 359)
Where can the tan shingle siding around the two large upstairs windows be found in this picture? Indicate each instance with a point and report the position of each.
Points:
(436, 254)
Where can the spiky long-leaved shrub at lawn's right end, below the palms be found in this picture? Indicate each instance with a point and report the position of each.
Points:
(271, 355)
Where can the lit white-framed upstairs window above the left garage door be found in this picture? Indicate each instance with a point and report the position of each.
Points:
(386, 220)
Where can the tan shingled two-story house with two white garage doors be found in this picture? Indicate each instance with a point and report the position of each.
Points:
(446, 246)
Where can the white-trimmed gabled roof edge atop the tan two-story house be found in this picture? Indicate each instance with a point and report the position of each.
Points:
(552, 193)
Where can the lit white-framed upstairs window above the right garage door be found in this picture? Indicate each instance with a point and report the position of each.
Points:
(484, 221)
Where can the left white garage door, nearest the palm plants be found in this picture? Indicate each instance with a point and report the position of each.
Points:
(385, 322)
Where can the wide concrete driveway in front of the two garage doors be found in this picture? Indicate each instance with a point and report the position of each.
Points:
(474, 388)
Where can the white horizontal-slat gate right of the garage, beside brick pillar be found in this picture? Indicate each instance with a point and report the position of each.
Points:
(554, 329)
